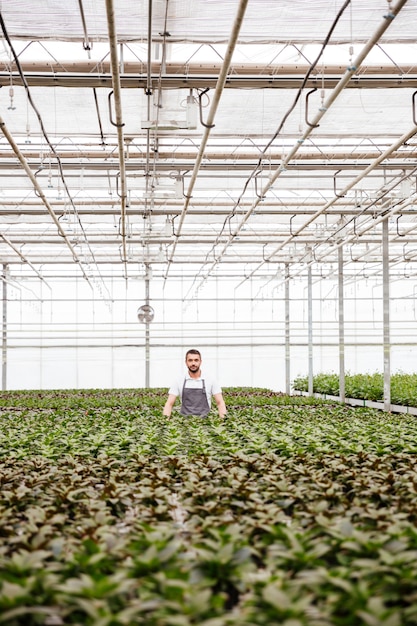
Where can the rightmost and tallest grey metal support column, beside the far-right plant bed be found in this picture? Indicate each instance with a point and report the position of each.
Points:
(386, 317)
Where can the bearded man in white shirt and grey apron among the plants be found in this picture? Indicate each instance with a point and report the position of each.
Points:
(195, 391)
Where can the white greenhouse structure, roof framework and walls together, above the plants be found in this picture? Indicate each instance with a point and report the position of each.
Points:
(237, 177)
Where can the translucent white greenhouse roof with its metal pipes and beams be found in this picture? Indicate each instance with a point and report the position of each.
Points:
(207, 138)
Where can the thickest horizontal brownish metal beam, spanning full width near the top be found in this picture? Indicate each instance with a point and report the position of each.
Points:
(84, 74)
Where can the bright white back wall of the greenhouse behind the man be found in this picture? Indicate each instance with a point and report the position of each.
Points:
(71, 337)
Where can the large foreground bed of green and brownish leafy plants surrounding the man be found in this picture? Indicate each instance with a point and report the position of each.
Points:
(286, 513)
